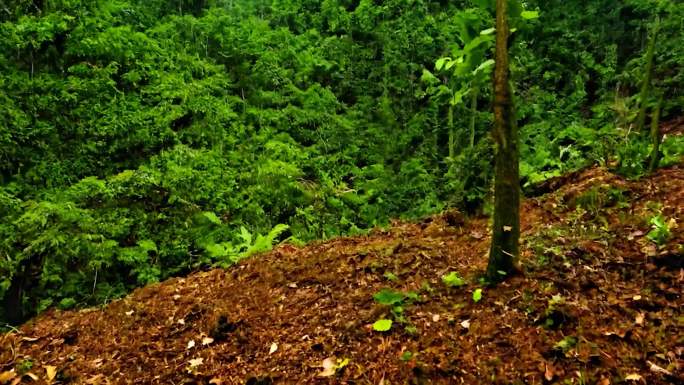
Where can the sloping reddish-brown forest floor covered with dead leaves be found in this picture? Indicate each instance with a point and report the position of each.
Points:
(597, 302)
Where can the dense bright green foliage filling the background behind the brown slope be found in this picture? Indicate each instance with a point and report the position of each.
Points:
(141, 139)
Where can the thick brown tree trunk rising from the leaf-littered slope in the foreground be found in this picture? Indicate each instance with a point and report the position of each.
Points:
(503, 253)
